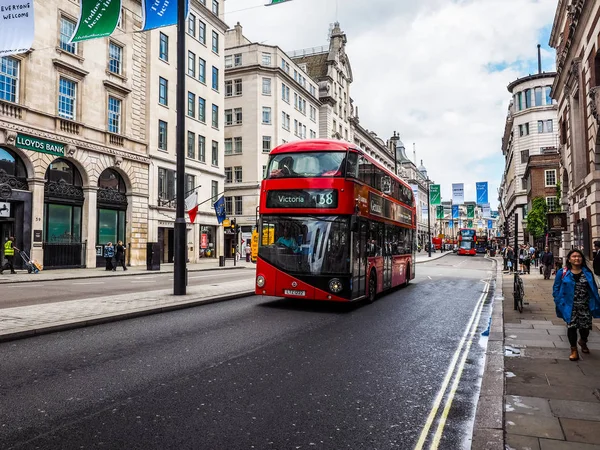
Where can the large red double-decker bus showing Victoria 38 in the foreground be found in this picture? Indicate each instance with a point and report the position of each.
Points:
(334, 224)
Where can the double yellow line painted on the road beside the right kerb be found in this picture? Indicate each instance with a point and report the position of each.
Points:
(454, 370)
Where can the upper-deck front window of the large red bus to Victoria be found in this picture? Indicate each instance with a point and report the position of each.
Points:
(307, 165)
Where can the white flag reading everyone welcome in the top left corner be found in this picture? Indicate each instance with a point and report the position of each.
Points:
(16, 27)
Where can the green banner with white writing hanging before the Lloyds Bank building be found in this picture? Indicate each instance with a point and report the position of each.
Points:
(98, 18)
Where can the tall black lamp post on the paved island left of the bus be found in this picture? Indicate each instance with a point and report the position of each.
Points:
(180, 241)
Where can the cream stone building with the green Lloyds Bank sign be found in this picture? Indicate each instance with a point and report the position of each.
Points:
(73, 152)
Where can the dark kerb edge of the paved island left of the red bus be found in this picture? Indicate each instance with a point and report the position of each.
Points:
(63, 326)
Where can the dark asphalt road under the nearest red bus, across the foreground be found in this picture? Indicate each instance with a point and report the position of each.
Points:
(258, 373)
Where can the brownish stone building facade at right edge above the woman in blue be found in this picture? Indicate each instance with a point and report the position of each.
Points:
(576, 37)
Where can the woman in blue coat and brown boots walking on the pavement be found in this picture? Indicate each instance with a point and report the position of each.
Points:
(577, 301)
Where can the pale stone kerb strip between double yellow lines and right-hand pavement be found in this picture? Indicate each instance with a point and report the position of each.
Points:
(488, 429)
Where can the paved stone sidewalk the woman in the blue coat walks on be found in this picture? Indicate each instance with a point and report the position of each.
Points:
(550, 403)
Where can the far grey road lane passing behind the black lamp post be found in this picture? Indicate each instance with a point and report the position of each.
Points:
(35, 293)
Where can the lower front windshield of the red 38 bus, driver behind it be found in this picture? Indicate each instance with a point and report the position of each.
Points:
(306, 245)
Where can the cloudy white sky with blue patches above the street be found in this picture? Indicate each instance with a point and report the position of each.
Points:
(436, 71)
